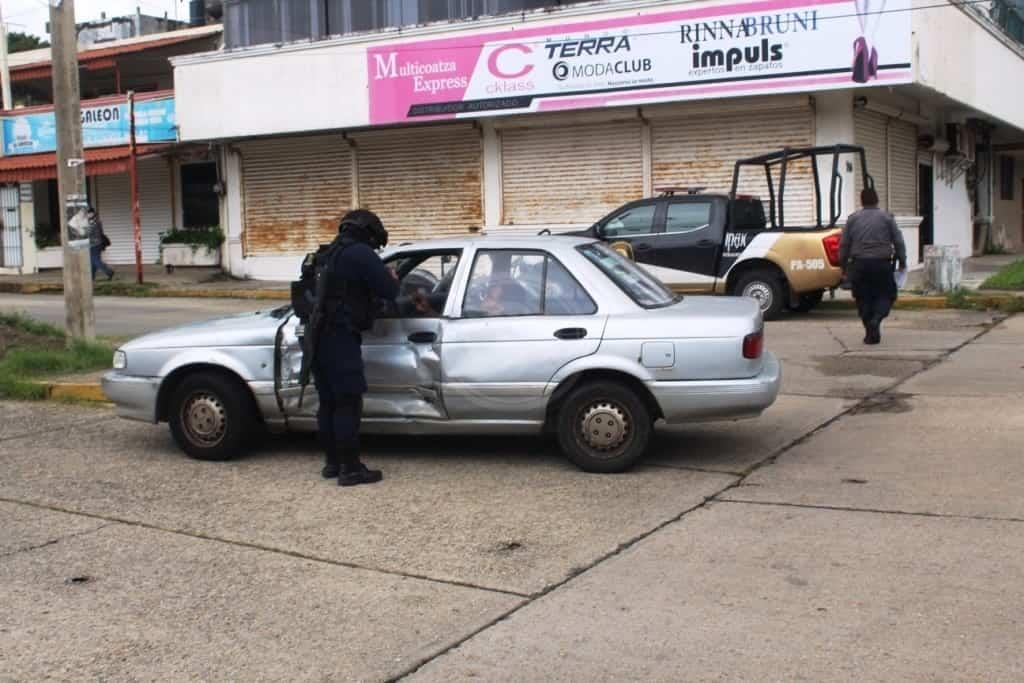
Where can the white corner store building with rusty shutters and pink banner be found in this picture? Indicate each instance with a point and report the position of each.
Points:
(551, 118)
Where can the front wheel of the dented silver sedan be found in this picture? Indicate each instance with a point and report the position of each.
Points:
(211, 416)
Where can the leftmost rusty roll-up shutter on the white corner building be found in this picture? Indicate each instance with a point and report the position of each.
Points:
(296, 191)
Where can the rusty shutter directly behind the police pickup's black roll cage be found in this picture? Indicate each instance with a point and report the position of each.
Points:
(701, 150)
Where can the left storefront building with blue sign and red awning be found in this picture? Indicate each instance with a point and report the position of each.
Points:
(176, 183)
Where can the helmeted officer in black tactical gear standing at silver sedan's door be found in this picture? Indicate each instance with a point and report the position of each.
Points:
(358, 278)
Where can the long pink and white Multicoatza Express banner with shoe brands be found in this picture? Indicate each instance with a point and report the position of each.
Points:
(700, 53)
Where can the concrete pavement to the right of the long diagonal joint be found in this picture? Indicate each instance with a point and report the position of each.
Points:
(888, 545)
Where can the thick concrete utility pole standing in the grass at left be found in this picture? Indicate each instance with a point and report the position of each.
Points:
(79, 314)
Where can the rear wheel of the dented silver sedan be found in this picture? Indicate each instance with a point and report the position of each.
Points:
(595, 407)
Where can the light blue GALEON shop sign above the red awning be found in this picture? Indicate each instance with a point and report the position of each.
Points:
(103, 126)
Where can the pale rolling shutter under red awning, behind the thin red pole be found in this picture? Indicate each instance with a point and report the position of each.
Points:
(156, 214)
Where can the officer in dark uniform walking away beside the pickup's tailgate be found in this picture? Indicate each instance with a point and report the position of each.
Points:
(871, 244)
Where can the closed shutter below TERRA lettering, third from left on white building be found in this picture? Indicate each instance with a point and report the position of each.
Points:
(570, 175)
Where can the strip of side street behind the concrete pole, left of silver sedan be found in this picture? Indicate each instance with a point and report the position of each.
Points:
(129, 317)
